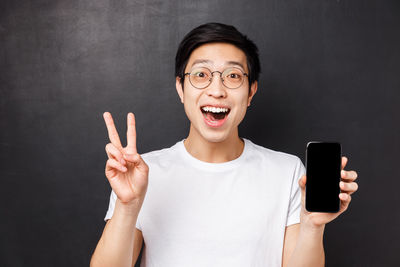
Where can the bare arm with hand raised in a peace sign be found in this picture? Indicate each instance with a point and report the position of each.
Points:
(127, 174)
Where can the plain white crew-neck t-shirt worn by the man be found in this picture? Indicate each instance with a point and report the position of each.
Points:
(234, 213)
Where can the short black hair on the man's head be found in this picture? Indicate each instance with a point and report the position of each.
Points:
(217, 32)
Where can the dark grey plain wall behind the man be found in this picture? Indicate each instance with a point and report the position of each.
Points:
(330, 71)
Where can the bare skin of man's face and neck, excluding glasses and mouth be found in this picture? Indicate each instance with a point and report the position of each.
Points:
(203, 142)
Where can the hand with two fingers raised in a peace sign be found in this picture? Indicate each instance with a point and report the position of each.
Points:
(126, 171)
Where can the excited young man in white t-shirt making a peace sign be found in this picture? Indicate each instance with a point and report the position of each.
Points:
(214, 198)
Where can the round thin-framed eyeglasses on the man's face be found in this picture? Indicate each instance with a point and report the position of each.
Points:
(202, 77)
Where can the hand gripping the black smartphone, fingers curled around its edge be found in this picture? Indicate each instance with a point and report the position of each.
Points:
(347, 186)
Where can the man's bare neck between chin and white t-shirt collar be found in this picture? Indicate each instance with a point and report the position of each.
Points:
(214, 152)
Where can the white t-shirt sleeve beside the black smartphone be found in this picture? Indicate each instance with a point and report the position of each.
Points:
(295, 195)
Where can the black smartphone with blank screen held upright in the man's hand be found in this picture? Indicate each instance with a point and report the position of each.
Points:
(323, 166)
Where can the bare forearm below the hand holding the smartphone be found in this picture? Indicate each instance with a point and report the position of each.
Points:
(309, 250)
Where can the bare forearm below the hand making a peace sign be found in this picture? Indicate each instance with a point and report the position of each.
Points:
(115, 247)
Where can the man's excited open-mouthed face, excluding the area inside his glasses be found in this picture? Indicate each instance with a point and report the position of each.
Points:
(200, 104)
